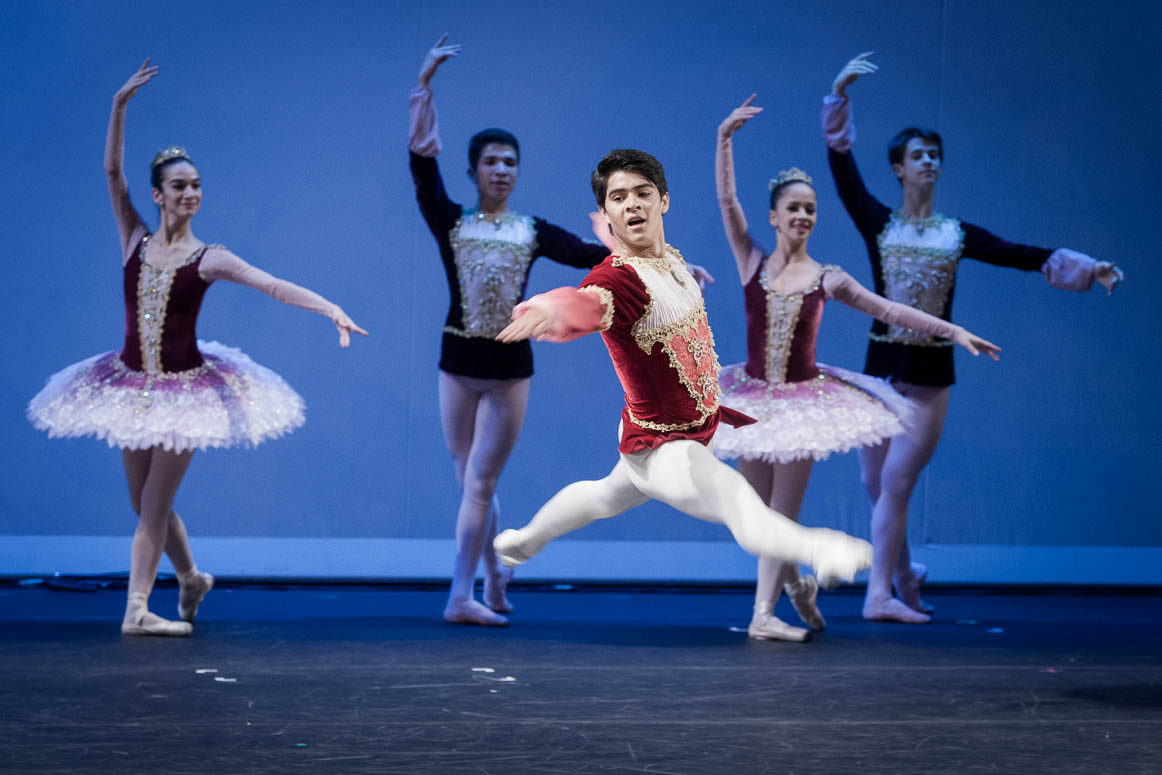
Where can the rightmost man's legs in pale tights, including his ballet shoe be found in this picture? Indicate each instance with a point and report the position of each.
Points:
(903, 460)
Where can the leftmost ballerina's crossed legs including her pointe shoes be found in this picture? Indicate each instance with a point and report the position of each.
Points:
(154, 479)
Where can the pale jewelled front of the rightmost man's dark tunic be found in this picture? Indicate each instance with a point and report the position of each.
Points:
(920, 261)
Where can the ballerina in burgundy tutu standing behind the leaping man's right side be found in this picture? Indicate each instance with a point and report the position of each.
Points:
(805, 411)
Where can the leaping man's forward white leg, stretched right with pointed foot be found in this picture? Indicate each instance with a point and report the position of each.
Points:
(686, 476)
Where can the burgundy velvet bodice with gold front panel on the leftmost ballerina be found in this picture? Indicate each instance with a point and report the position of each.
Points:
(162, 308)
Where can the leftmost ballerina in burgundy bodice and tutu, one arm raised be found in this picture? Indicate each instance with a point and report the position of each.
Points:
(166, 393)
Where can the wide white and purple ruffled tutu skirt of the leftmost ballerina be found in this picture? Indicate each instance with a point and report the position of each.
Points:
(229, 401)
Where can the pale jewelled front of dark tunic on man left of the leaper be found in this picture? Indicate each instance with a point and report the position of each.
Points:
(492, 261)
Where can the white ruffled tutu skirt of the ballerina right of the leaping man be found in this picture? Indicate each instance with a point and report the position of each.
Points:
(837, 412)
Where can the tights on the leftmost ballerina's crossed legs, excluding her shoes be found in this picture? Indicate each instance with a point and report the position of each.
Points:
(154, 478)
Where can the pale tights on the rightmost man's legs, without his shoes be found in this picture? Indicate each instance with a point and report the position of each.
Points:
(890, 473)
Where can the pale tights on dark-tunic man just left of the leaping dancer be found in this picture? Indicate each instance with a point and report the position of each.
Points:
(482, 421)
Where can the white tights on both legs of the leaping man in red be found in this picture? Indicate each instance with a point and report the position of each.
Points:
(686, 476)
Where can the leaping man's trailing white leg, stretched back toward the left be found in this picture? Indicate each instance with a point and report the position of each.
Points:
(571, 510)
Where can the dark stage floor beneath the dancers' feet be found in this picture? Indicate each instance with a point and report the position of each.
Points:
(350, 679)
